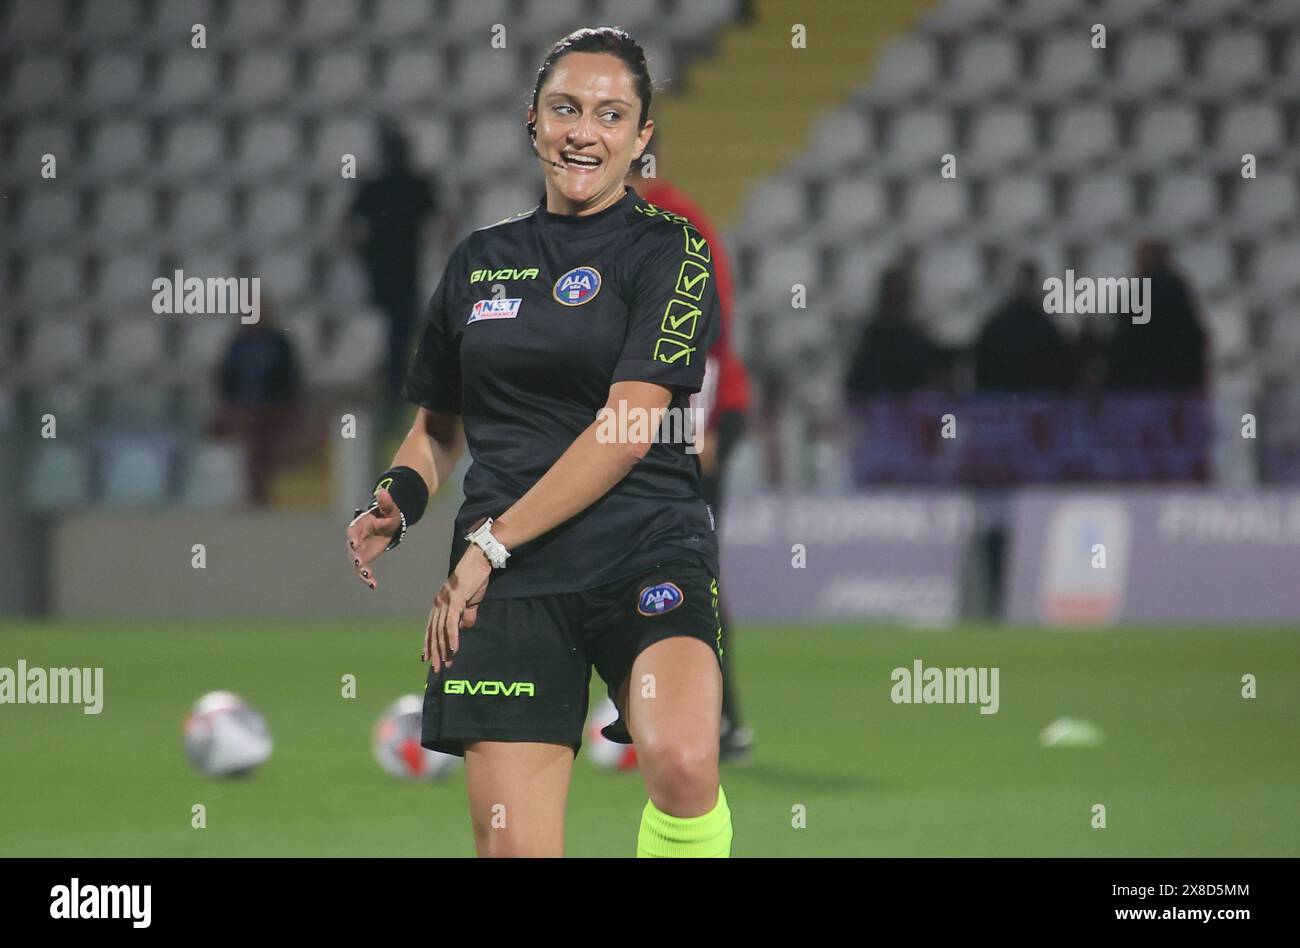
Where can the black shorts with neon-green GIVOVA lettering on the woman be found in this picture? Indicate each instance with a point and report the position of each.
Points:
(523, 672)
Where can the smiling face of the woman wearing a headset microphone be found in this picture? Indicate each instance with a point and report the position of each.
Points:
(587, 120)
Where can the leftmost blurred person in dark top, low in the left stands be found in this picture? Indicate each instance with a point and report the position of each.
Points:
(261, 392)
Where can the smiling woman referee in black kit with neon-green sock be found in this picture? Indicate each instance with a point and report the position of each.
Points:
(582, 543)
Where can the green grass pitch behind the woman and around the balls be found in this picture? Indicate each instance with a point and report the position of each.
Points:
(1188, 768)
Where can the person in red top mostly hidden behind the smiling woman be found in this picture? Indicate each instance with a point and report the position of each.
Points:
(723, 405)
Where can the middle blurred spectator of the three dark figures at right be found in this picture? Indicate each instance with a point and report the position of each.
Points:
(1020, 349)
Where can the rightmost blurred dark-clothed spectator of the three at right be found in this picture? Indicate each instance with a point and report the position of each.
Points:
(1169, 353)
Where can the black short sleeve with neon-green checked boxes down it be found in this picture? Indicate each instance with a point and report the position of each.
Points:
(674, 315)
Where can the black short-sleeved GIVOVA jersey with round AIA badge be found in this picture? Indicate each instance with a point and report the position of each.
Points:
(534, 321)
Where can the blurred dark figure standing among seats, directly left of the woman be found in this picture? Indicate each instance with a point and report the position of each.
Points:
(385, 224)
